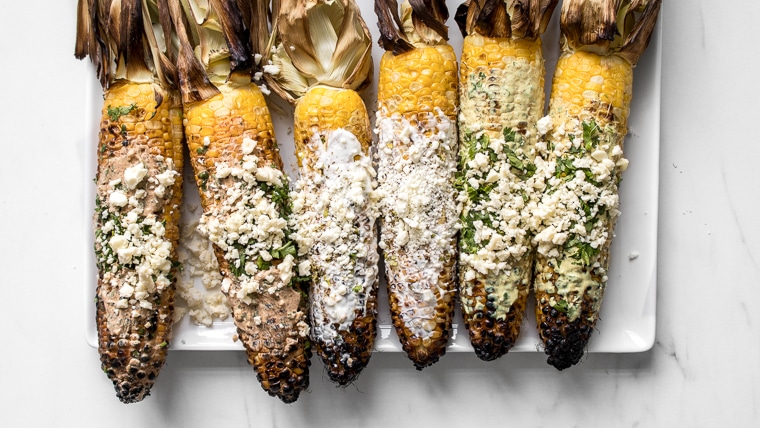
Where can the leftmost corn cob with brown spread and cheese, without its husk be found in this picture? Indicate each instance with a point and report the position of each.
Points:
(139, 191)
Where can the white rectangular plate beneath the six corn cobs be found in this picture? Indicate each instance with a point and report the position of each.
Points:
(627, 322)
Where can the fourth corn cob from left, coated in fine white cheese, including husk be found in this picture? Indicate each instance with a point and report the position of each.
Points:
(417, 162)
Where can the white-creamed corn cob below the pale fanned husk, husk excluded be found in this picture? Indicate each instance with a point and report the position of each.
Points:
(334, 214)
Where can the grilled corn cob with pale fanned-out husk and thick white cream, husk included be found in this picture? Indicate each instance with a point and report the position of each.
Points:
(334, 201)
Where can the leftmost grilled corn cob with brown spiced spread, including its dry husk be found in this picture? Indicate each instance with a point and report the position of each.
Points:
(138, 194)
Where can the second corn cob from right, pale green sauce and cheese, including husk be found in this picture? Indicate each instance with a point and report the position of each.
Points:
(501, 99)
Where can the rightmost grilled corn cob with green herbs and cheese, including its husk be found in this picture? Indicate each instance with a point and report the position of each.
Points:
(585, 128)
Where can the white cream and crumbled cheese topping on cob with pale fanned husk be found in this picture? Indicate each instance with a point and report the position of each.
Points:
(334, 212)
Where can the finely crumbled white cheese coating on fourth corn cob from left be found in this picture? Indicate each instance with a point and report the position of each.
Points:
(415, 172)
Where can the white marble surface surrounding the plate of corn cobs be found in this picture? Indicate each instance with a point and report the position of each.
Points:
(703, 371)
